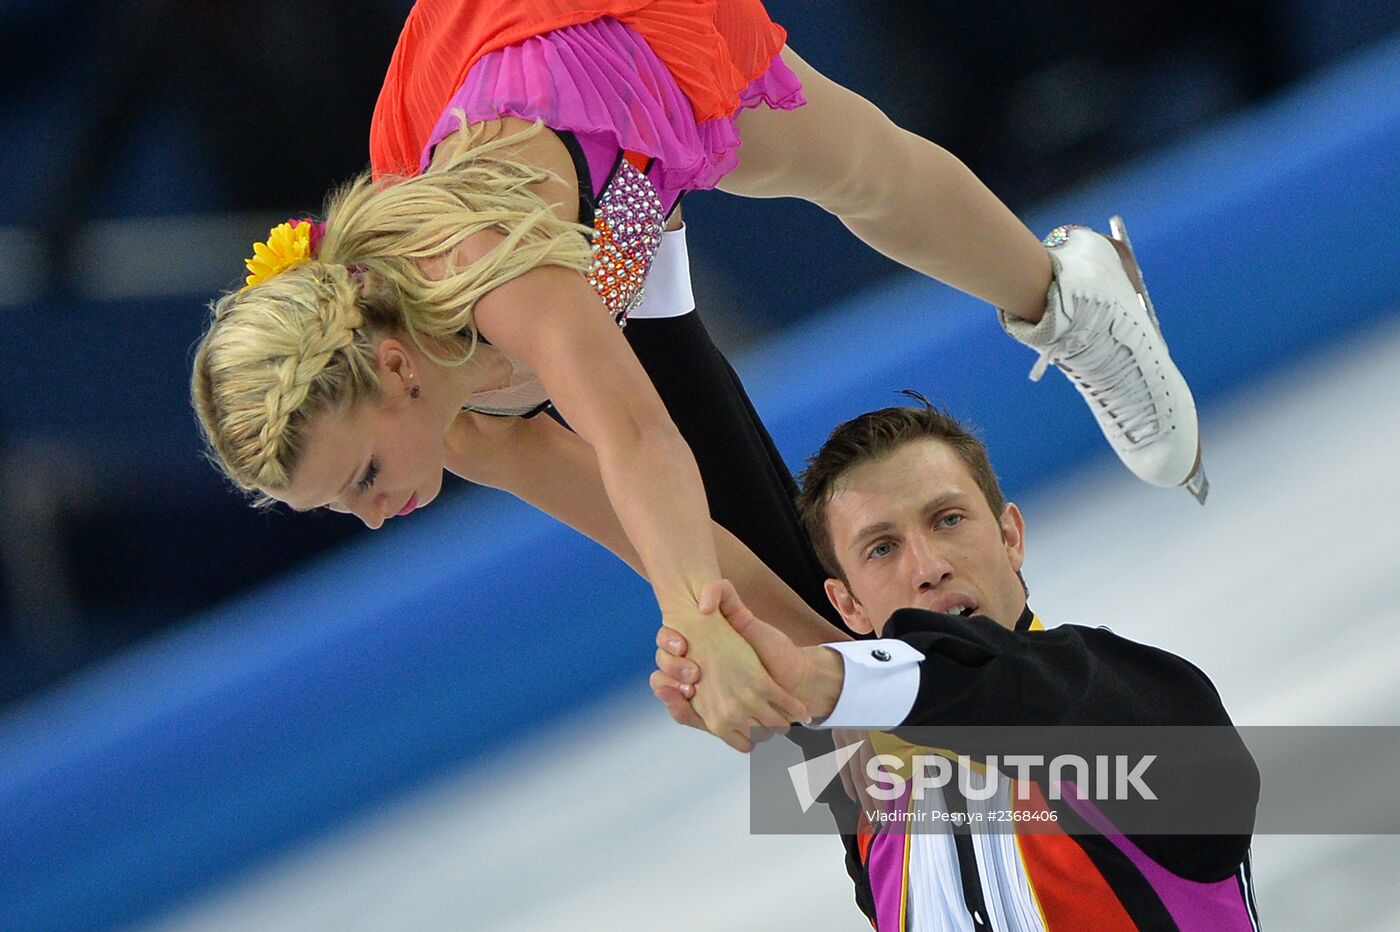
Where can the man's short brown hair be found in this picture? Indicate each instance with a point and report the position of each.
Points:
(873, 436)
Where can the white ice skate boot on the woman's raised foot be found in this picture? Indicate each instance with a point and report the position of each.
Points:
(1101, 331)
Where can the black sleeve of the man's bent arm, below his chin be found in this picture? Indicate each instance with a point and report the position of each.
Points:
(979, 674)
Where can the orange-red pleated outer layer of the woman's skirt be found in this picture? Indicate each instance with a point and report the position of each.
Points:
(713, 50)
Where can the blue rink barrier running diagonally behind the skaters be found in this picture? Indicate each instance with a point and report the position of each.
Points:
(442, 639)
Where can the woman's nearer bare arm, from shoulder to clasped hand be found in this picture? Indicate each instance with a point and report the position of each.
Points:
(552, 320)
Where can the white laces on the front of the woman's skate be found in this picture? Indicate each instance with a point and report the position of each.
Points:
(1105, 370)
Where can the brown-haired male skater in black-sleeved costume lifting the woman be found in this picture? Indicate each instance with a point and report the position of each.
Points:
(923, 551)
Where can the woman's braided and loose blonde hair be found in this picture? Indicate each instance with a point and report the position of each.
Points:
(281, 353)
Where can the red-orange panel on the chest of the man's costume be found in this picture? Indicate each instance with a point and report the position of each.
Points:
(1070, 891)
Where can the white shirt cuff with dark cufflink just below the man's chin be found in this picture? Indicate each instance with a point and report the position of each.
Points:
(881, 684)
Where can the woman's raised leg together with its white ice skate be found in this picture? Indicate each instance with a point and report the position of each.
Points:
(923, 208)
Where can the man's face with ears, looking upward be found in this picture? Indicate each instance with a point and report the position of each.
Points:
(913, 531)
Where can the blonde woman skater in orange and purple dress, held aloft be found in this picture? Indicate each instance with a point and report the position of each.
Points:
(471, 240)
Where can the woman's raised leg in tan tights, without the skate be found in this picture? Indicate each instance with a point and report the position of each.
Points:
(905, 197)
